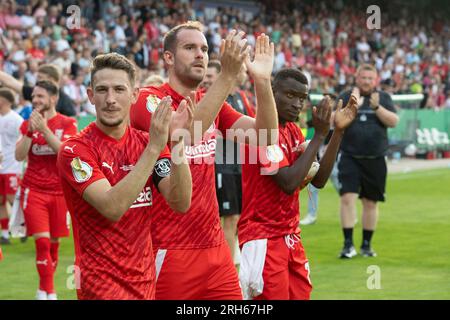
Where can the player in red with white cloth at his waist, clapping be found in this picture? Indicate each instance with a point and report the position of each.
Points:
(273, 261)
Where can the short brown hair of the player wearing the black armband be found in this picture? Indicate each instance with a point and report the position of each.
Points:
(113, 61)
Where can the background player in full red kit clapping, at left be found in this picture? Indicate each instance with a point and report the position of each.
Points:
(42, 197)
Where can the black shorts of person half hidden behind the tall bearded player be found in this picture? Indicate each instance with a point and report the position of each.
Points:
(229, 193)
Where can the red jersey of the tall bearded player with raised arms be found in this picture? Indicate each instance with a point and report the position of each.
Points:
(200, 226)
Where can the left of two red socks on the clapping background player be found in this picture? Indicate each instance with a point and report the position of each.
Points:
(44, 265)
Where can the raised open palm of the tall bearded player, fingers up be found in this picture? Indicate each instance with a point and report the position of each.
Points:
(262, 64)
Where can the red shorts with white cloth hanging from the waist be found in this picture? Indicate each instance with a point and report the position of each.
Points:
(275, 269)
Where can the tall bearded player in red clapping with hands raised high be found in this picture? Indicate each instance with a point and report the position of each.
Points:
(193, 260)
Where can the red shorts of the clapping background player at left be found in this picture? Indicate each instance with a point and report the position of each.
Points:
(45, 213)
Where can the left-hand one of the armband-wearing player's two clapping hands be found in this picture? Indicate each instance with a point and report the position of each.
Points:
(159, 126)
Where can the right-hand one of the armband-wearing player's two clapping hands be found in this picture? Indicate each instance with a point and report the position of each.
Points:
(181, 120)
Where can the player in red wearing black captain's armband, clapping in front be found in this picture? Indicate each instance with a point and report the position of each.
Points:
(111, 174)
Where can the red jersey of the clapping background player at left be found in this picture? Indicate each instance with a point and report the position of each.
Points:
(42, 174)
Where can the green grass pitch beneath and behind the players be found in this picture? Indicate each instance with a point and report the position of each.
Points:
(412, 242)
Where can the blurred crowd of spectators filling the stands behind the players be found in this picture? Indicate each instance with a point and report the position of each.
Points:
(411, 52)
